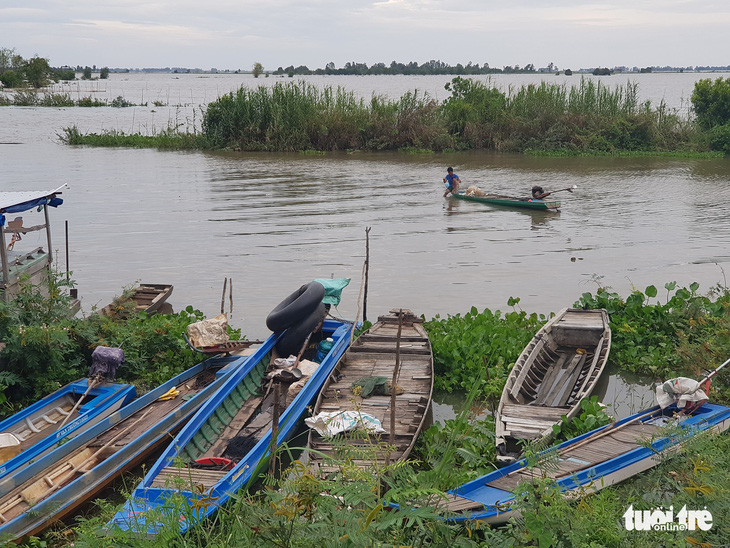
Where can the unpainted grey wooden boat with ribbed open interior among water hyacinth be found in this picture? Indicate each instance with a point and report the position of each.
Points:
(559, 367)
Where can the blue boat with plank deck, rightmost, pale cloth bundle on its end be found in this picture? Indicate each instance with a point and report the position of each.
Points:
(590, 462)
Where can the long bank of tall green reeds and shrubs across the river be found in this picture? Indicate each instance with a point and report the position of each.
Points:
(547, 118)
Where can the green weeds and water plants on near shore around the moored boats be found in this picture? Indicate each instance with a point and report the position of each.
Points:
(658, 333)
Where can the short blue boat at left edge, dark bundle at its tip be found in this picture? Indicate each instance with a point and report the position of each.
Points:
(58, 417)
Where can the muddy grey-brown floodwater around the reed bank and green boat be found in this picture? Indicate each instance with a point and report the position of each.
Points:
(271, 222)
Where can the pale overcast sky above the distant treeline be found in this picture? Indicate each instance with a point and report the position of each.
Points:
(234, 34)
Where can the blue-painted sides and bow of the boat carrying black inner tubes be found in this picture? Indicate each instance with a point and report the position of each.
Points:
(149, 504)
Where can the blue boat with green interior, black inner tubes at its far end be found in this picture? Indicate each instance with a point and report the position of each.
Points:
(233, 432)
